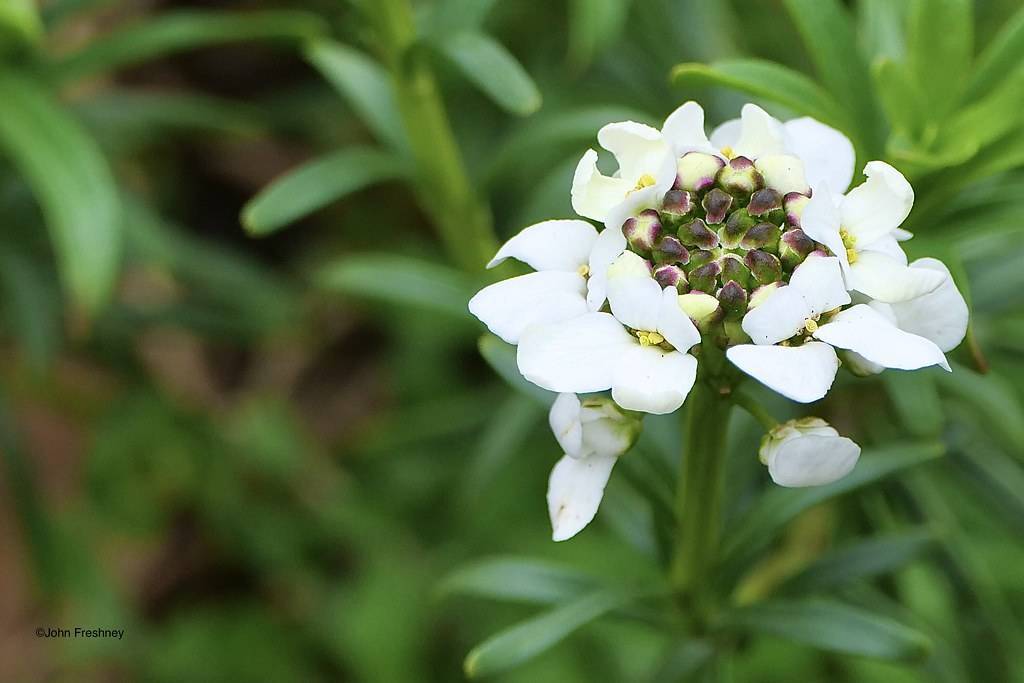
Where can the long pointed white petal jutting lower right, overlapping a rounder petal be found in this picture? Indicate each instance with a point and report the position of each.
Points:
(866, 331)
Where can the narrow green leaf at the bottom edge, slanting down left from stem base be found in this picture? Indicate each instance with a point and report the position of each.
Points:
(528, 639)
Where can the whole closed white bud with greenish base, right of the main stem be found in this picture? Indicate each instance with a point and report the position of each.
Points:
(807, 453)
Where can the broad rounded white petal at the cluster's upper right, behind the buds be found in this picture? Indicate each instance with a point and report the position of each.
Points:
(828, 154)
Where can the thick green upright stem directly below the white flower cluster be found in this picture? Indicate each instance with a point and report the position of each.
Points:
(700, 499)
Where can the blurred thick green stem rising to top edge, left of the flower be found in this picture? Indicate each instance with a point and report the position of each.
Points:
(445, 190)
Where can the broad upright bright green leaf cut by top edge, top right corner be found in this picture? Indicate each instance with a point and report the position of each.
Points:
(941, 45)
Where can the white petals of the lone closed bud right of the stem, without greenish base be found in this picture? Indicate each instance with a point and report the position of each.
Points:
(814, 460)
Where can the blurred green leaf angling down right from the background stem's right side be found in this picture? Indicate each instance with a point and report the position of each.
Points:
(492, 69)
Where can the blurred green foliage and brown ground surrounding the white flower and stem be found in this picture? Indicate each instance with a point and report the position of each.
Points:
(246, 417)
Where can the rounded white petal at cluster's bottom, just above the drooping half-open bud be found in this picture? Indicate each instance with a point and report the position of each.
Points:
(653, 380)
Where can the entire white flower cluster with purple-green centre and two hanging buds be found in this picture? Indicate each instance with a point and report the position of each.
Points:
(748, 242)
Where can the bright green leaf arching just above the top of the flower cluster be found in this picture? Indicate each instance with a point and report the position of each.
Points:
(769, 80)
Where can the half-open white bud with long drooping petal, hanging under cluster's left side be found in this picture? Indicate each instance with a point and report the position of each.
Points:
(593, 434)
